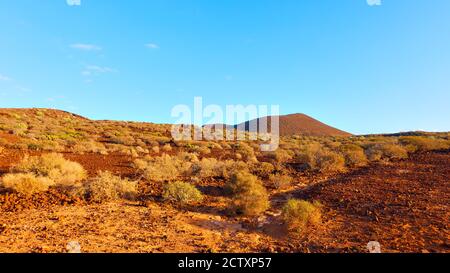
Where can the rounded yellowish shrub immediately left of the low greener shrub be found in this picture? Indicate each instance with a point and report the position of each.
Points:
(108, 187)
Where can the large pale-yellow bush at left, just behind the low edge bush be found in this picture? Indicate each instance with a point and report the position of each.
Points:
(54, 166)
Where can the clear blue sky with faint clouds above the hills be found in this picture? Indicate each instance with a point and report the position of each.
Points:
(362, 68)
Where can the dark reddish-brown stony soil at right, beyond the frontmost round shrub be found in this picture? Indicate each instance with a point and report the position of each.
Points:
(403, 205)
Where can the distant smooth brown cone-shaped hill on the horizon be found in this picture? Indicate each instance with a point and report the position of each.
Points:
(295, 124)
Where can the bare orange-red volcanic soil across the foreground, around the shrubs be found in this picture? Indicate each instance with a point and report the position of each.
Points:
(404, 205)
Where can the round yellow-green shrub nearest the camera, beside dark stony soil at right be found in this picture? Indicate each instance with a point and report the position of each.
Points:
(300, 214)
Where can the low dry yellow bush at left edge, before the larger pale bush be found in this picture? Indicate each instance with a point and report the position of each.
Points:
(26, 183)
